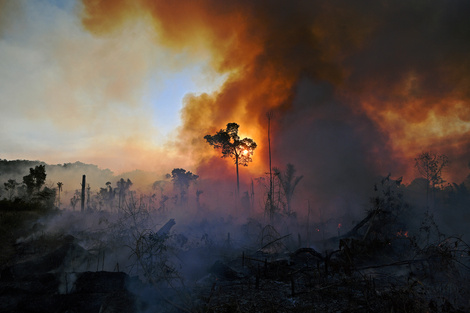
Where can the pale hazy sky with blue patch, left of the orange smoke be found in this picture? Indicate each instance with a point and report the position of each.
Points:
(67, 95)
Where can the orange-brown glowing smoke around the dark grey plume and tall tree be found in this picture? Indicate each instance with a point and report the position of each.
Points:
(267, 49)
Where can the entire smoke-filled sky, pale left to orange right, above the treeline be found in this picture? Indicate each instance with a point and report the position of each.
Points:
(357, 89)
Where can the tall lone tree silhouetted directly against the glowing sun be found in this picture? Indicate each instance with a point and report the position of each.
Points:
(240, 150)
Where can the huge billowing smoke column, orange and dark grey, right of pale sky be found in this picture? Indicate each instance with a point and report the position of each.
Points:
(358, 88)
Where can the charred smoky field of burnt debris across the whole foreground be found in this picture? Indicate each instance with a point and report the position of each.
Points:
(138, 258)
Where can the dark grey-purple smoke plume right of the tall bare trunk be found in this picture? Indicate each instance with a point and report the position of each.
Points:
(334, 149)
